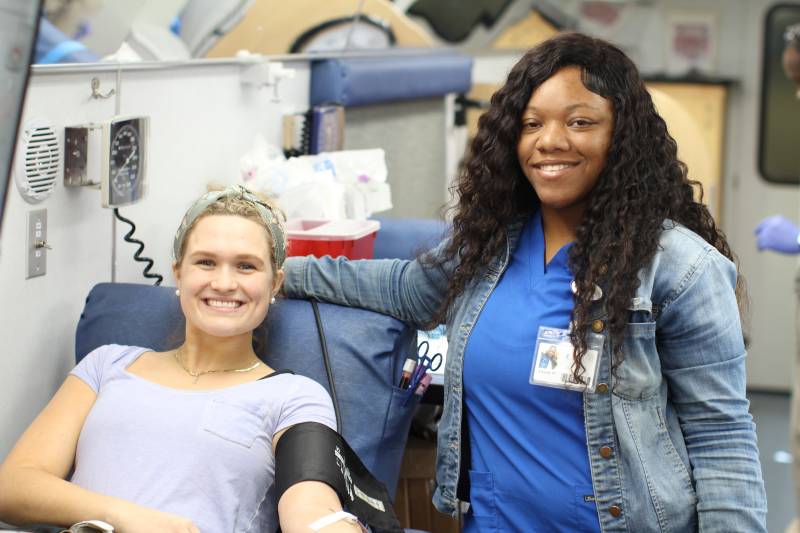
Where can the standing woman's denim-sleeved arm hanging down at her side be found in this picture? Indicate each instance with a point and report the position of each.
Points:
(702, 355)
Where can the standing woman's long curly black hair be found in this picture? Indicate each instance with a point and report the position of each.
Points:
(642, 184)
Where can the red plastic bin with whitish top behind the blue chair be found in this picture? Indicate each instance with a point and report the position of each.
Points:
(354, 239)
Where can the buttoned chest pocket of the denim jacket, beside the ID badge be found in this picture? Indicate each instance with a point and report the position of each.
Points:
(638, 375)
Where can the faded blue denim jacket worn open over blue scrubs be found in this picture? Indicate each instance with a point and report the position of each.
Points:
(671, 443)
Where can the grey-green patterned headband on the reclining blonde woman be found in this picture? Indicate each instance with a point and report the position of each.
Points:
(265, 212)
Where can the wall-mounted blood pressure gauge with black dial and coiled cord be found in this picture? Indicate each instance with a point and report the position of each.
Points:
(124, 149)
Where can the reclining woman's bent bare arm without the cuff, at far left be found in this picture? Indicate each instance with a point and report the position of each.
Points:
(32, 484)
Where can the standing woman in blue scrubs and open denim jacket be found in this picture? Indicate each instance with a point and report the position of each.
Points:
(576, 225)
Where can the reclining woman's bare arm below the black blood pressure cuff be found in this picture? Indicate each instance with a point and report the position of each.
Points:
(306, 502)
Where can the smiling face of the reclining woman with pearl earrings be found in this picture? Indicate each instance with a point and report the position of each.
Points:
(225, 276)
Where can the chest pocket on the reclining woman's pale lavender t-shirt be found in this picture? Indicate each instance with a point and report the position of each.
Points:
(237, 423)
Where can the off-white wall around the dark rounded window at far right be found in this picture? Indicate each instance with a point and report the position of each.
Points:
(748, 198)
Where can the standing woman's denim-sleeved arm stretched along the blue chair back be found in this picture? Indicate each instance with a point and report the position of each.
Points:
(406, 290)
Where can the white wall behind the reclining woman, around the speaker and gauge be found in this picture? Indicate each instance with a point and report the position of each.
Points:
(202, 120)
